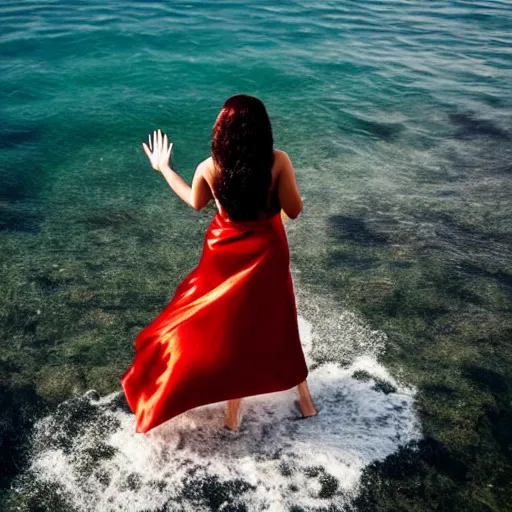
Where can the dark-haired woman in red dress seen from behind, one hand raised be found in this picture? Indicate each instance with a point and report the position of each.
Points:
(231, 329)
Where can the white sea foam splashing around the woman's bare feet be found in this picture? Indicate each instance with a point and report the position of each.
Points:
(272, 463)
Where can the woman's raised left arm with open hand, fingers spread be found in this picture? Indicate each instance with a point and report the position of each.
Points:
(196, 196)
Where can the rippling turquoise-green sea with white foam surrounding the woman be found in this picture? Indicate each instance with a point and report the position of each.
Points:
(398, 118)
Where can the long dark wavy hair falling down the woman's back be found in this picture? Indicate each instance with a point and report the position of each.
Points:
(242, 151)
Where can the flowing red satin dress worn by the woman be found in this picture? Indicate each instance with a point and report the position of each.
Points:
(229, 332)
